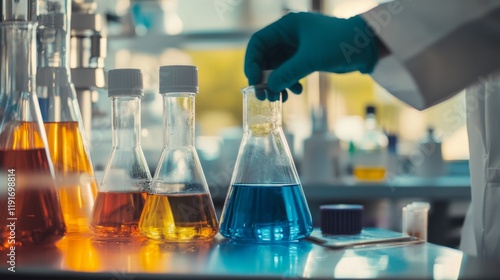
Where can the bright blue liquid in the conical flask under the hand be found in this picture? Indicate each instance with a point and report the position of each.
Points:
(266, 213)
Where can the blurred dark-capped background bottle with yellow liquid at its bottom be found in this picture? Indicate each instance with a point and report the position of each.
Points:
(370, 157)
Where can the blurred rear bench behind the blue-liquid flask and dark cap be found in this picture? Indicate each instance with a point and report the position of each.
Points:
(449, 197)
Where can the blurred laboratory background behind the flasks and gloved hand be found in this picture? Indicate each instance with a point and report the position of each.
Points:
(338, 122)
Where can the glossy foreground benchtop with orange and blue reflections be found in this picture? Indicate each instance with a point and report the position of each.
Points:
(83, 256)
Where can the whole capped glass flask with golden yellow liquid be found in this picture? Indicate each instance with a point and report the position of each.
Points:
(179, 206)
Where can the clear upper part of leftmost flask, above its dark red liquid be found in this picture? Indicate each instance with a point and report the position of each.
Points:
(20, 120)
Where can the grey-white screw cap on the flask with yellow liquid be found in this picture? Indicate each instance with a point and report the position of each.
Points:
(178, 78)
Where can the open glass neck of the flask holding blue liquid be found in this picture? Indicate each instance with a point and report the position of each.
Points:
(260, 116)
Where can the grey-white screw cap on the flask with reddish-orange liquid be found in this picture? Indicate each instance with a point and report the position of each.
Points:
(125, 82)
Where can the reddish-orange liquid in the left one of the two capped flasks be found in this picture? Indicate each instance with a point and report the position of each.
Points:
(117, 213)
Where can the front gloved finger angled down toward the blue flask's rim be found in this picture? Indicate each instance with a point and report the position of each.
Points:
(289, 73)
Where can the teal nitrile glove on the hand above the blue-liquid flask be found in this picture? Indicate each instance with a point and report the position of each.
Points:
(301, 43)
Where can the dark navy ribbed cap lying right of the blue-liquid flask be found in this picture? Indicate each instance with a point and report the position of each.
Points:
(341, 219)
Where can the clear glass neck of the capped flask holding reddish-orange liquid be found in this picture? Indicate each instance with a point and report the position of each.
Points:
(126, 121)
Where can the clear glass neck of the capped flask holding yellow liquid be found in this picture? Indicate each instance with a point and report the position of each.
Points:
(178, 119)
